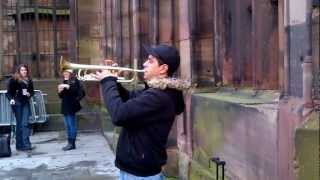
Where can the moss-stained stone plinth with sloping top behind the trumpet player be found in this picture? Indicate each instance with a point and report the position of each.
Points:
(239, 129)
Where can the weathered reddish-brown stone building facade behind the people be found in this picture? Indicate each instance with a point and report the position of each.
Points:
(254, 66)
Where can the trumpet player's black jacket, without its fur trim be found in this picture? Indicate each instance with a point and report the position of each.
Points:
(146, 117)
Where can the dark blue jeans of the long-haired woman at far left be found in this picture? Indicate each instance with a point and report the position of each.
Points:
(22, 113)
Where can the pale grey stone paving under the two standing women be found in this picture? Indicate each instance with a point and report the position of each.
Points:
(92, 160)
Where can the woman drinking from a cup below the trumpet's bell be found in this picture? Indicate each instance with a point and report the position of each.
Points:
(68, 91)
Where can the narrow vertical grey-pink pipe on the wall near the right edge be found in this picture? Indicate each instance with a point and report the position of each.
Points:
(307, 65)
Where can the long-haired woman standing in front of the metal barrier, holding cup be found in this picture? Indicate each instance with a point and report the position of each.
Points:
(20, 90)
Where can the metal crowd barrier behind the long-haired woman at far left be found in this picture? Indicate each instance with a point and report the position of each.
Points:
(37, 107)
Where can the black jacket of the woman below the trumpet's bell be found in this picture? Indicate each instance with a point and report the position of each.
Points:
(70, 103)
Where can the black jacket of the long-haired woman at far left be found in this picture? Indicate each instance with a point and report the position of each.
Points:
(14, 90)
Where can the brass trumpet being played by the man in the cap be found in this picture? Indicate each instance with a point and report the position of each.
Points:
(84, 76)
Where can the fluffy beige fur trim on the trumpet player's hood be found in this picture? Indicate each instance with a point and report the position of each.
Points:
(173, 83)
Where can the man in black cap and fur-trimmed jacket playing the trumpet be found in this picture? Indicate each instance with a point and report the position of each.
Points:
(146, 115)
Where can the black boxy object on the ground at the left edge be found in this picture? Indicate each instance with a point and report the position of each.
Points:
(5, 137)
